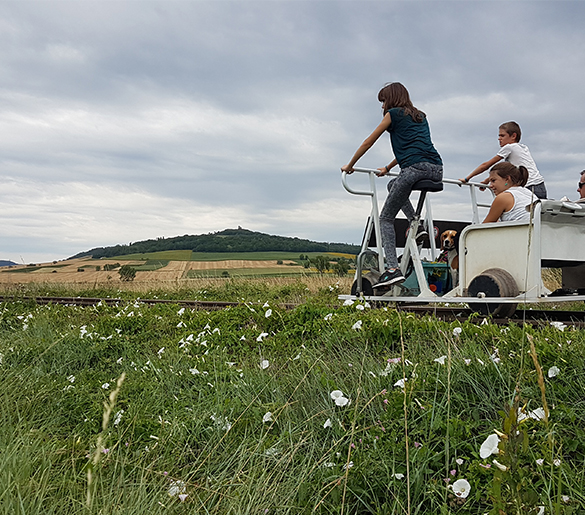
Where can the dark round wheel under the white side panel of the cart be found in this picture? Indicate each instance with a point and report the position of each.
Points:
(493, 282)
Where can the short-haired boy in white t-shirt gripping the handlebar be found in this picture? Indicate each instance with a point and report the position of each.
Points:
(517, 154)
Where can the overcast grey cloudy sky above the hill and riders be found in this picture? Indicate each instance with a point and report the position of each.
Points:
(127, 120)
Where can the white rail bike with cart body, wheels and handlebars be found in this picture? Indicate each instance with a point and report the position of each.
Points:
(500, 264)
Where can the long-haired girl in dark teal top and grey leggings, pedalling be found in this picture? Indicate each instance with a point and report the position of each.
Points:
(413, 152)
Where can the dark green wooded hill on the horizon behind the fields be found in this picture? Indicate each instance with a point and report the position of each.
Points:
(229, 240)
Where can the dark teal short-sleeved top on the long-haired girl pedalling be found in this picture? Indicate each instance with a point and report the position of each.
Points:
(411, 141)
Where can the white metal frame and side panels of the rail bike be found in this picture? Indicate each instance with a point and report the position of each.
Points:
(553, 238)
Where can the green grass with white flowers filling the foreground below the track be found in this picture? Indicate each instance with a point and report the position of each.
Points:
(195, 395)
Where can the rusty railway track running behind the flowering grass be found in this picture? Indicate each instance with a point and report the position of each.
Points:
(447, 313)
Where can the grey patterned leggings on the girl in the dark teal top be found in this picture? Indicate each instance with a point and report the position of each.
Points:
(399, 190)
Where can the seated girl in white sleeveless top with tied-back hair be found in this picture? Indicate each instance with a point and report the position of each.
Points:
(507, 182)
